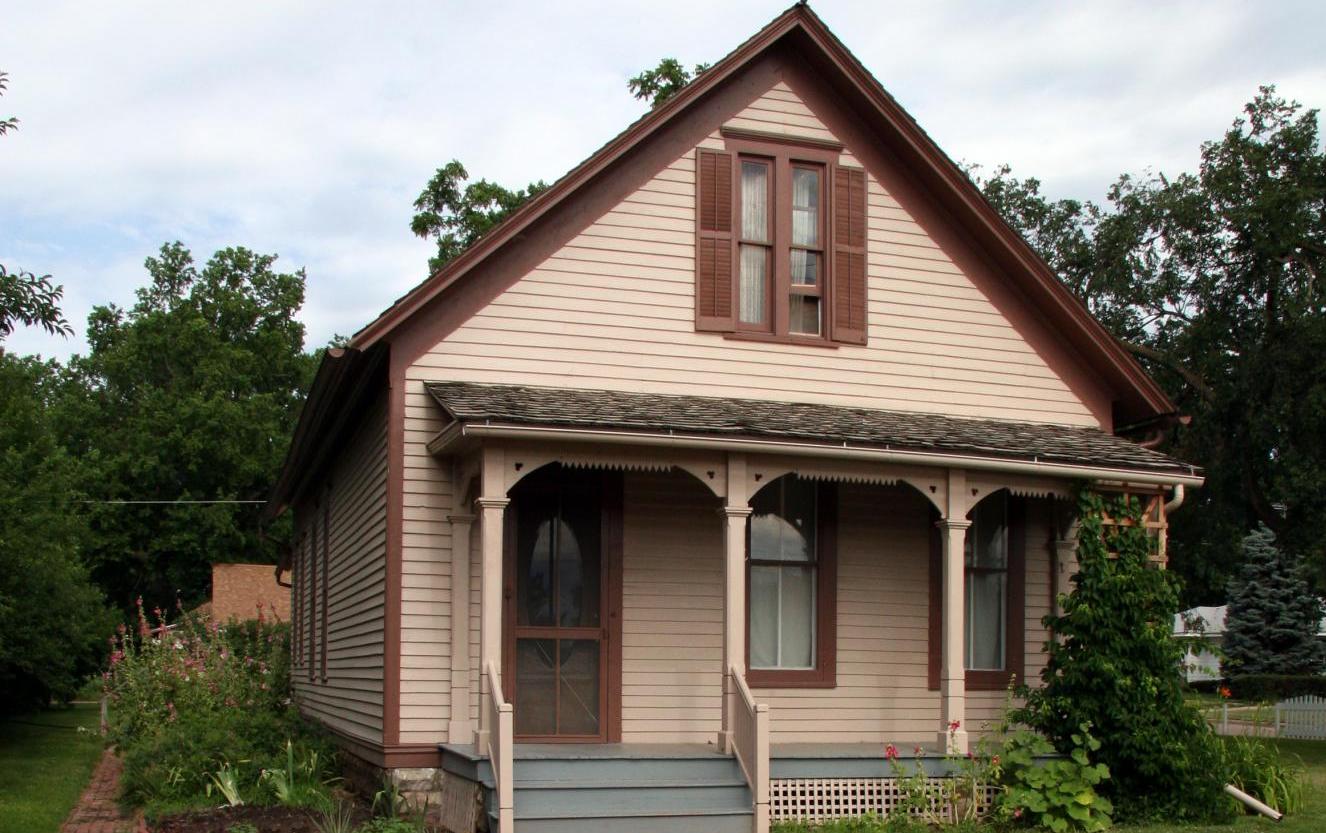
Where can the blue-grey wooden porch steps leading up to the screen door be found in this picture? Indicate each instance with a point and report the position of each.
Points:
(624, 787)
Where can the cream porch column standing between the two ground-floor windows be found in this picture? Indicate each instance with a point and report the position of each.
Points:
(953, 682)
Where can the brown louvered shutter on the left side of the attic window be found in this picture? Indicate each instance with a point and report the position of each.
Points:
(714, 242)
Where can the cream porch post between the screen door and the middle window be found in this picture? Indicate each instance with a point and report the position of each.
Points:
(735, 515)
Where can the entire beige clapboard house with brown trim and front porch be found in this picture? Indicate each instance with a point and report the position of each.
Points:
(742, 452)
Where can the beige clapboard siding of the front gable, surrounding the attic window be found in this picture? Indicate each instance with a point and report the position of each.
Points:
(615, 310)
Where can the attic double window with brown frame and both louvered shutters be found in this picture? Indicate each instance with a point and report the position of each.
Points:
(772, 262)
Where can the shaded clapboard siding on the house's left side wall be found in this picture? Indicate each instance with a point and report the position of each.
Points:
(351, 698)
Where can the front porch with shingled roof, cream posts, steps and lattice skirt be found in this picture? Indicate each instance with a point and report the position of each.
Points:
(656, 672)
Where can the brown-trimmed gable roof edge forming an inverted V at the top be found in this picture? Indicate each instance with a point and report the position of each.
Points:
(1140, 400)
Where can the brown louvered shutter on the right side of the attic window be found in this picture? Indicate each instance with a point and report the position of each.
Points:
(849, 257)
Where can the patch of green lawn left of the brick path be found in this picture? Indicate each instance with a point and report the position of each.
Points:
(46, 763)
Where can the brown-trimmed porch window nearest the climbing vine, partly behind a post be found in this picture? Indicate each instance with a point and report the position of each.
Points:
(994, 595)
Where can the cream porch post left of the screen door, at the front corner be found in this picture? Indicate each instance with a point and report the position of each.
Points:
(493, 511)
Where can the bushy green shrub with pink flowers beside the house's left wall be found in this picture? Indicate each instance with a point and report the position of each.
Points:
(200, 709)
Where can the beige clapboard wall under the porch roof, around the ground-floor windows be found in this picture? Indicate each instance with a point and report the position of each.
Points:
(673, 621)
